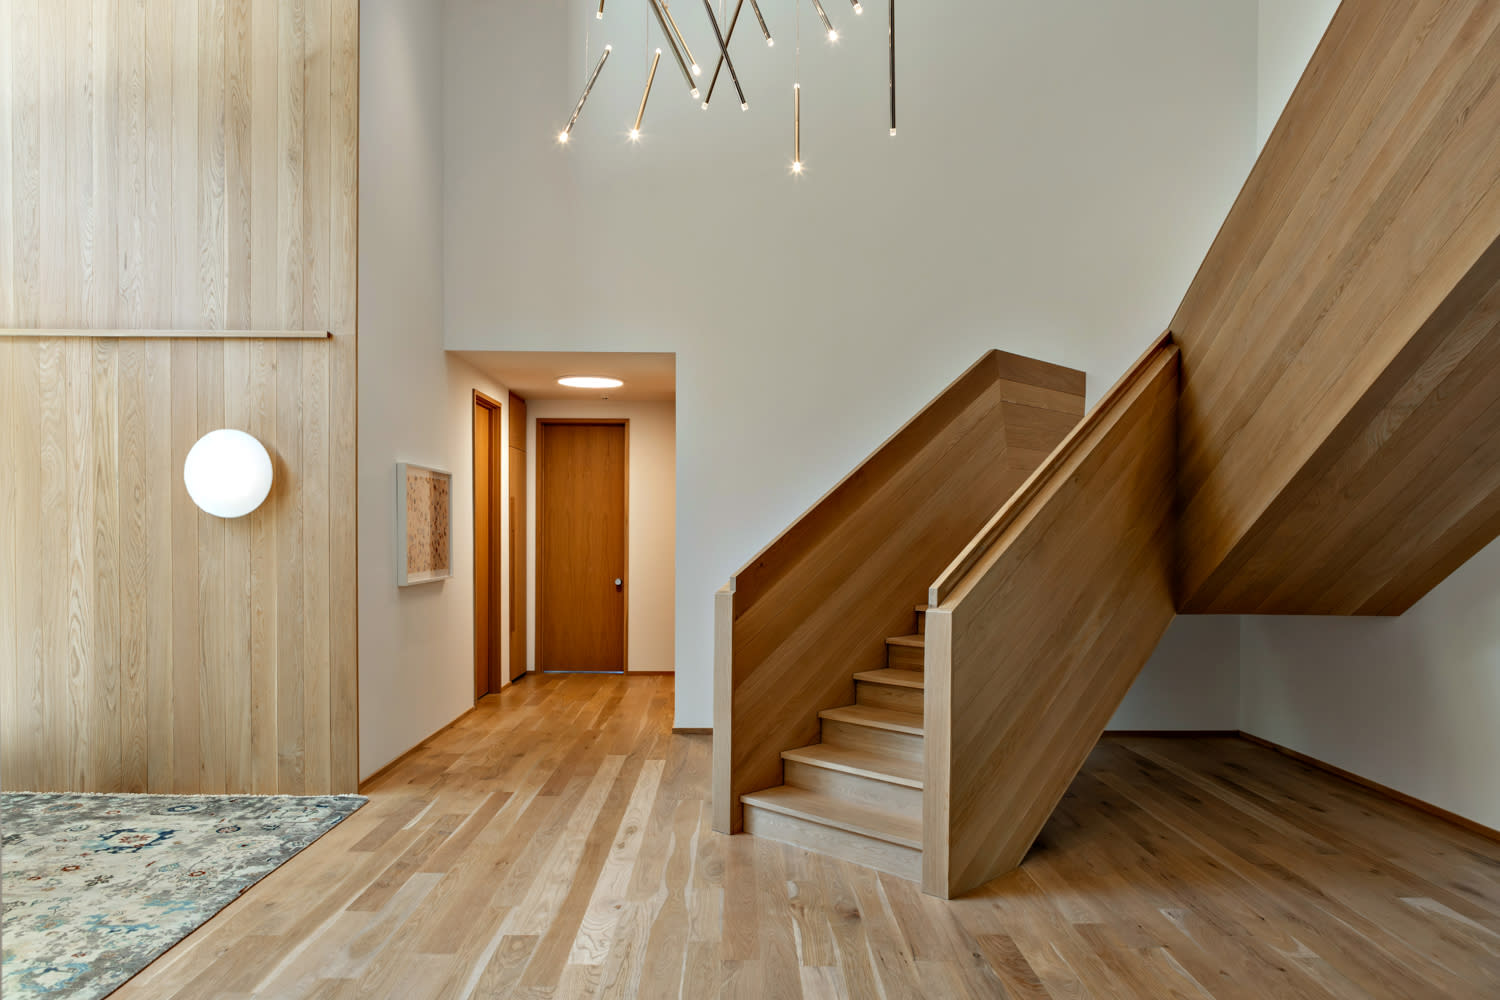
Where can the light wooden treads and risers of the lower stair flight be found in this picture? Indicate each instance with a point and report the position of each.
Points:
(859, 794)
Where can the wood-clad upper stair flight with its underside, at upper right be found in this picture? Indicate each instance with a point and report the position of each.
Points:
(1340, 341)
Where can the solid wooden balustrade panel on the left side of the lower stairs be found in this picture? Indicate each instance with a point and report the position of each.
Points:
(814, 608)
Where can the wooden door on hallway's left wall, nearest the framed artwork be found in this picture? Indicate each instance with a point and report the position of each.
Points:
(487, 546)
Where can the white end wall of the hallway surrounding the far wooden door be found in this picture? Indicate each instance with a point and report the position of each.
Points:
(653, 524)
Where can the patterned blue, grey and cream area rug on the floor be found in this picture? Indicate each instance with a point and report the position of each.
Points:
(97, 887)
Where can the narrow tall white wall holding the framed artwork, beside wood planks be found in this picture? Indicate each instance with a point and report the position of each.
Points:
(416, 644)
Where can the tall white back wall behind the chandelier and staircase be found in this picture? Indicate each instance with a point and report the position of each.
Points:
(1063, 166)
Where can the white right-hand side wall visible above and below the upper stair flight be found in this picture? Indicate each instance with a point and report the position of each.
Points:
(1409, 702)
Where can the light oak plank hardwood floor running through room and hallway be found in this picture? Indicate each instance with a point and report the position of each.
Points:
(556, 843)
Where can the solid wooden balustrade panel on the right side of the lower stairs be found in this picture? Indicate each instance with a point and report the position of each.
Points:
(1034, 641)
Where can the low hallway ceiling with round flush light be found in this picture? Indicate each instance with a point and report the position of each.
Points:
(536, 374)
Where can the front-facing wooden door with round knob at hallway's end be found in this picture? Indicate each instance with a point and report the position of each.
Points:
(581, 545)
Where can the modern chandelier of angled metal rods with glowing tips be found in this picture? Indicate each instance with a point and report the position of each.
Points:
(692, 71)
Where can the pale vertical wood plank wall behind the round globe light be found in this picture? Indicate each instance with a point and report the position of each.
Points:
(178, 166)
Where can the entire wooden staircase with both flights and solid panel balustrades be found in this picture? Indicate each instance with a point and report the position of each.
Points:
(1318, 433)
